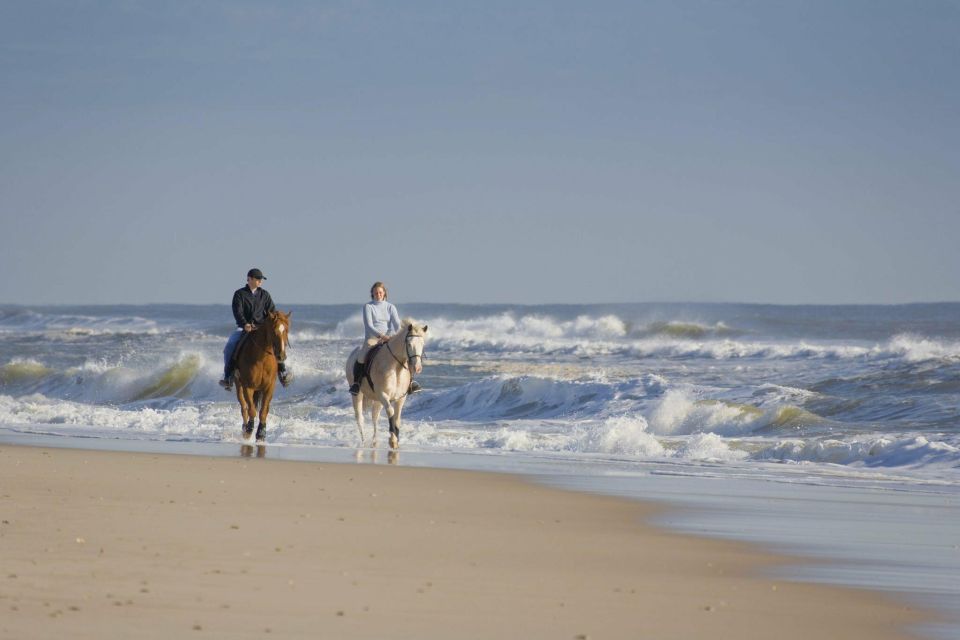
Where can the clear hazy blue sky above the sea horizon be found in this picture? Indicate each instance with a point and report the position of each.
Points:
(480, 152)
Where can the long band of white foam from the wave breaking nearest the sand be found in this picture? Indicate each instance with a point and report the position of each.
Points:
(628, 436)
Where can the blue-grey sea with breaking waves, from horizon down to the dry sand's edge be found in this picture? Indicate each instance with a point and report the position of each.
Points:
(828, 430)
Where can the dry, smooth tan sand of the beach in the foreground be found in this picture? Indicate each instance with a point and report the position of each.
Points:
(125, 545)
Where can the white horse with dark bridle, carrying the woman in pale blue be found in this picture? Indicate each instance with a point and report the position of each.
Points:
(389, 370)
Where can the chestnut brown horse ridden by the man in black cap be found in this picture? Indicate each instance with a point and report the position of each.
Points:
(257, 370)
